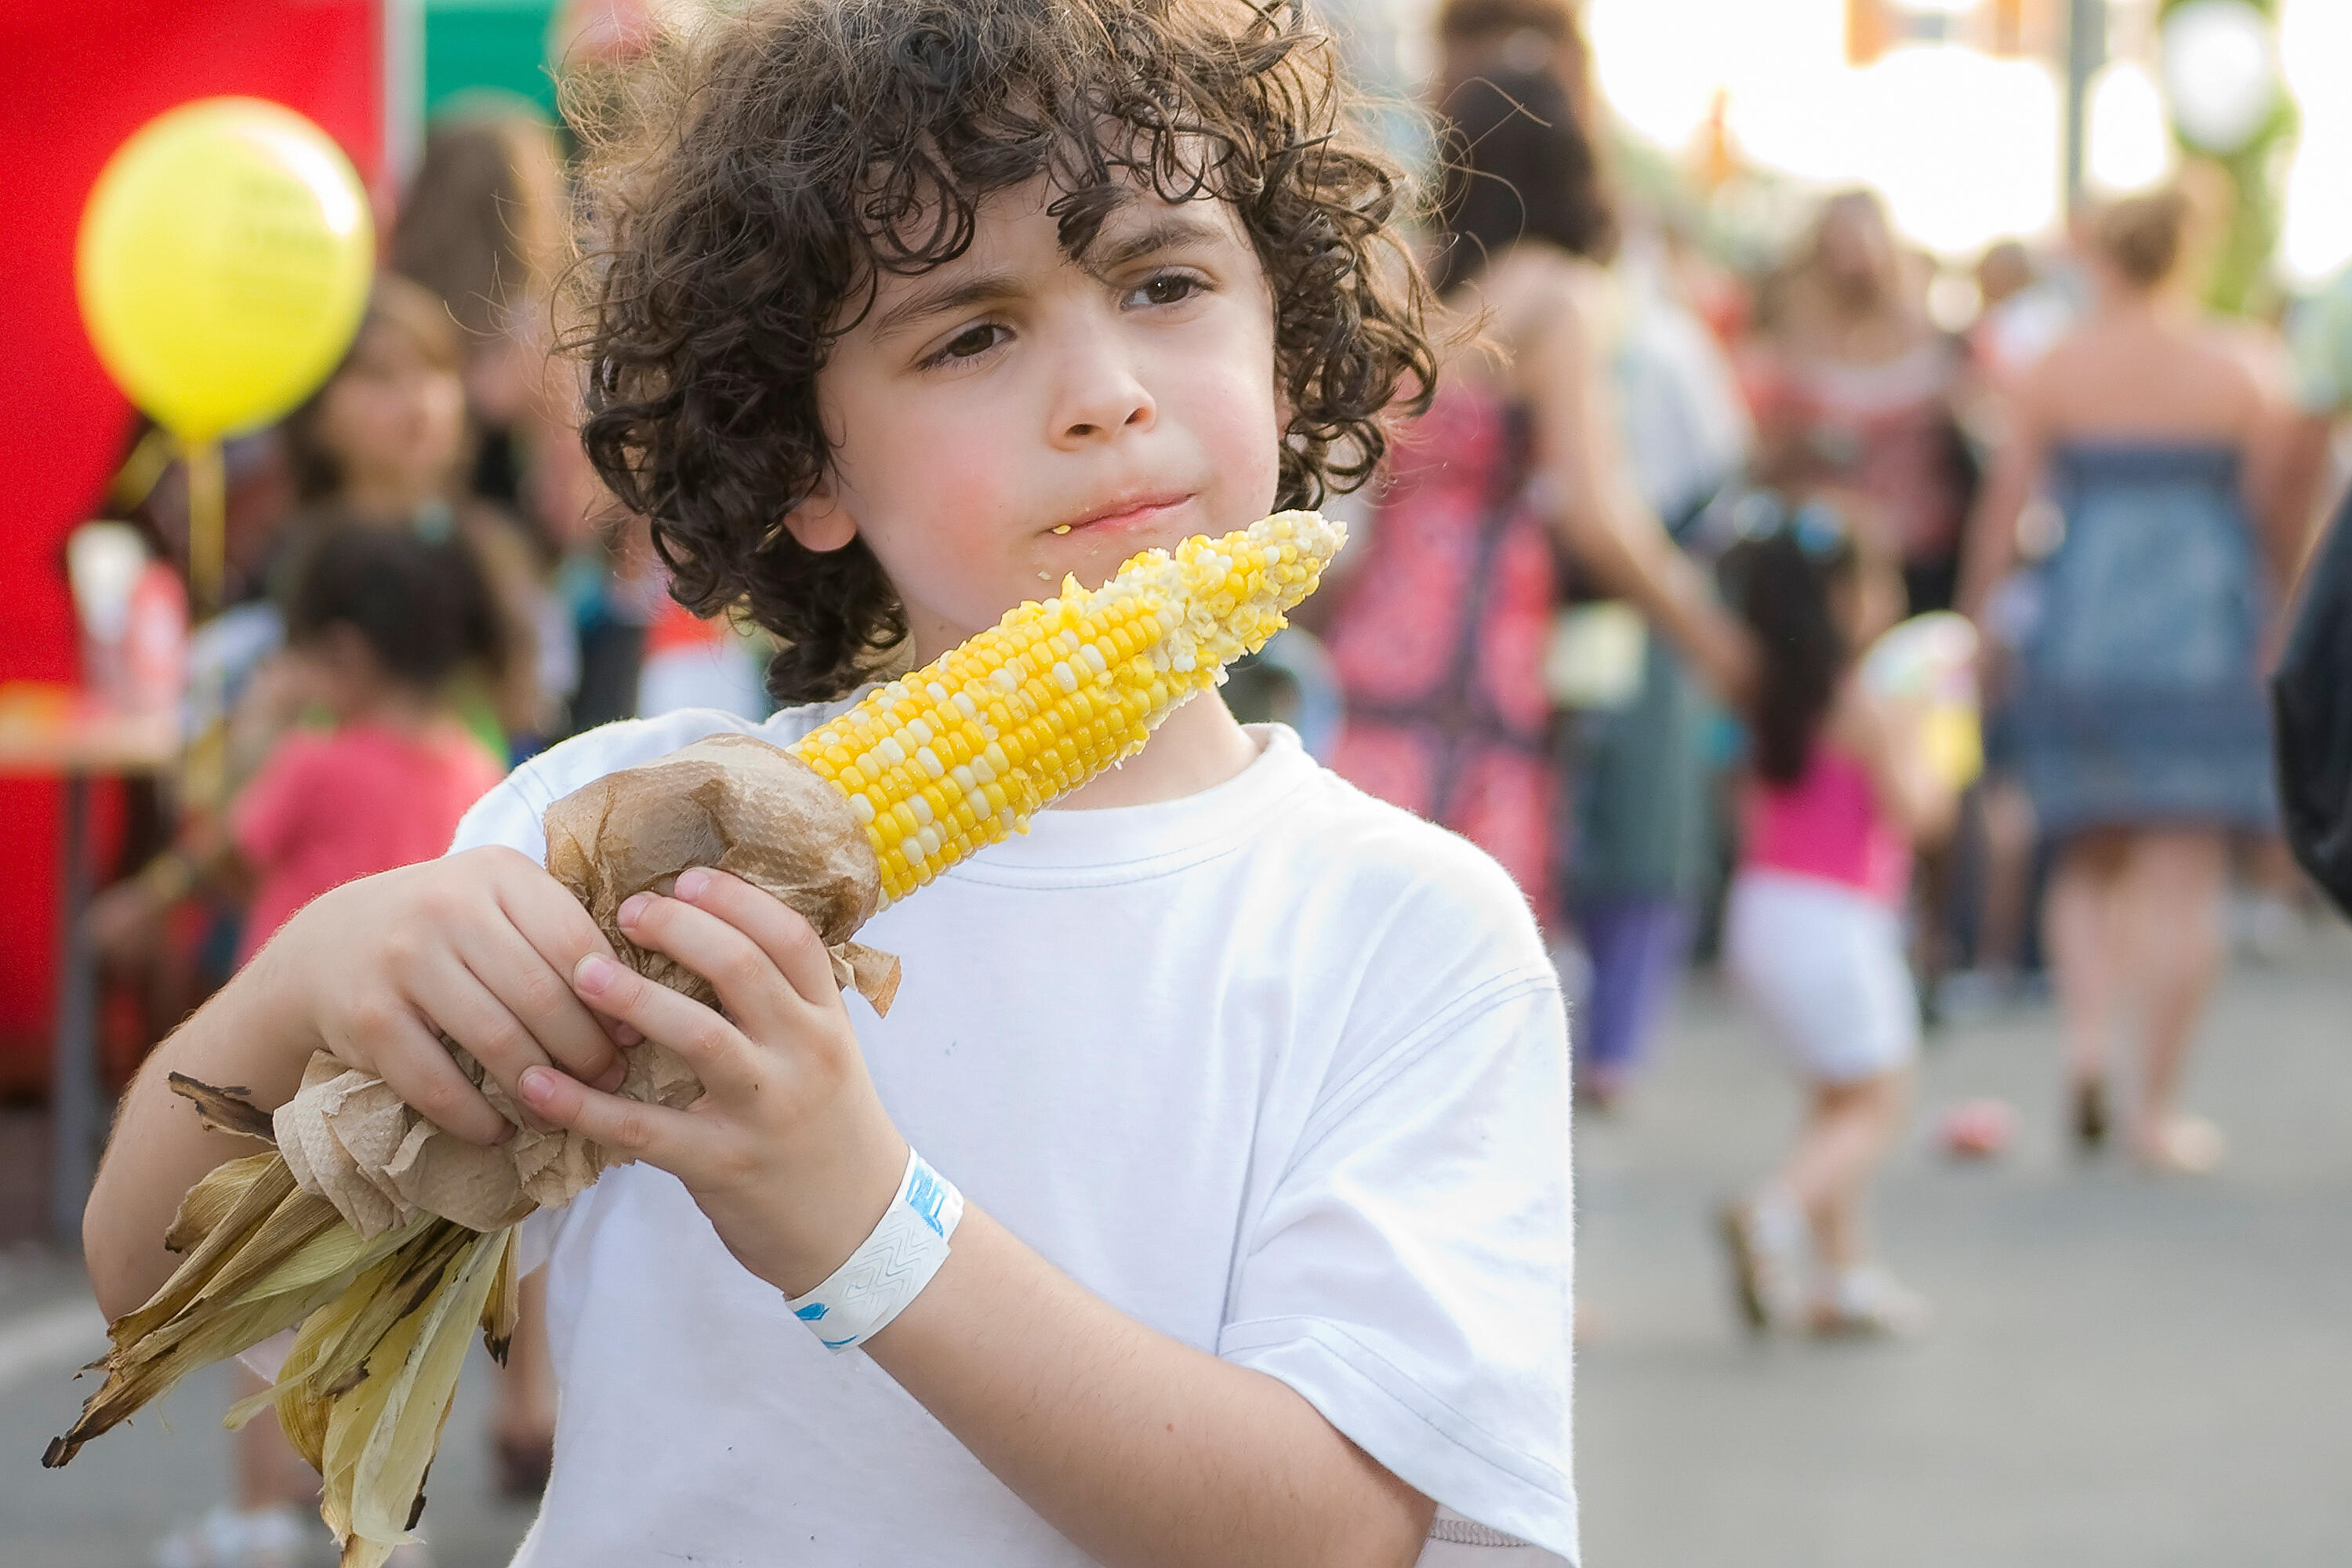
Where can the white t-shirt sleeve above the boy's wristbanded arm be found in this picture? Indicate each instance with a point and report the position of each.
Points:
(1412, 1268)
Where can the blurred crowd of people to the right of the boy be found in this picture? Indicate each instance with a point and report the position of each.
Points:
(1641, 587)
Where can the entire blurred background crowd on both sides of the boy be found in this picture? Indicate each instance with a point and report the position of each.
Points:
(1608, 617)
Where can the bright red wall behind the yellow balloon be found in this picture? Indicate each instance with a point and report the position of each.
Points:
(74, 83)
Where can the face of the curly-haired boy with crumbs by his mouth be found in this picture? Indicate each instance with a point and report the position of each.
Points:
(1017, 415)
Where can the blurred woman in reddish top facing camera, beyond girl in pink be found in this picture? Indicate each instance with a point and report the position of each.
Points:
(1855, 389)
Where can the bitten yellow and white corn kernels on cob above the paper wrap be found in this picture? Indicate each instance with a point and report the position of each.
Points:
(958, 753)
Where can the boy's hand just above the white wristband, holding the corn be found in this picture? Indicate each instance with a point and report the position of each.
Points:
(789, 1151)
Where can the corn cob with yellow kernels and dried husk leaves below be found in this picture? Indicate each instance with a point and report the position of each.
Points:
(933, 768)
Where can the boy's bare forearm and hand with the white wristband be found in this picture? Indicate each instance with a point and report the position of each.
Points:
(1132, 1445)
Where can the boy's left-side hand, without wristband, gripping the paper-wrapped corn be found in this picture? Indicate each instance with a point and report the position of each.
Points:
(476, 946)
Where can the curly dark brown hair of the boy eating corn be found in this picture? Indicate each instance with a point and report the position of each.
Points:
(777, 163)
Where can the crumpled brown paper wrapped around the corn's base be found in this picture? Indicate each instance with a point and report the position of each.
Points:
(730, 803)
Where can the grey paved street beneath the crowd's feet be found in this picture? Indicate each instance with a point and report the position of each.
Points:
(2125, 1372)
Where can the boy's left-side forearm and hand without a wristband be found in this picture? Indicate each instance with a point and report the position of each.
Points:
(474, 946)
